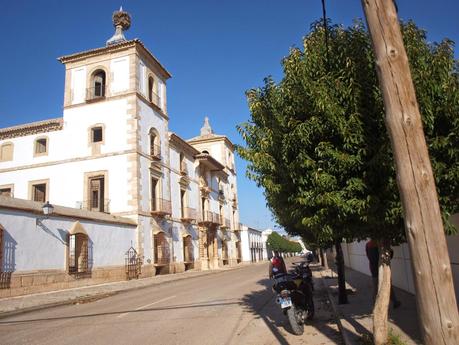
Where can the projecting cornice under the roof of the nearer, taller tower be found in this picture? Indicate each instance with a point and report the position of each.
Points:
(111, 49)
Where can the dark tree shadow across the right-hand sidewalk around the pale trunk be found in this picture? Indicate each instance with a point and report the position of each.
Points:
(360, 306)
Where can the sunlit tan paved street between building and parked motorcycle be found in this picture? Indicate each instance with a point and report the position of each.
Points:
(232, 307)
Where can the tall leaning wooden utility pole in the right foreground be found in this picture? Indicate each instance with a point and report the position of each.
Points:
(435, 296)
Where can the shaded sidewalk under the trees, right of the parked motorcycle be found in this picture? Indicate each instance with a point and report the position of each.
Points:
(355, 317)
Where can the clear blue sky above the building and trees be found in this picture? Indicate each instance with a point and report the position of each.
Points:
(215, 50)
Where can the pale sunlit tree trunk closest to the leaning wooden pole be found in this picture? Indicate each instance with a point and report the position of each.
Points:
(381, 307)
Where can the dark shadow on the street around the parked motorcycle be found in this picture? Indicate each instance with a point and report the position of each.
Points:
(262, 304)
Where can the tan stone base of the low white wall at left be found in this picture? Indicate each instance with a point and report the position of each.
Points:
(24, 283)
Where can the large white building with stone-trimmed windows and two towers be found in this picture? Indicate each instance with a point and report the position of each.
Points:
(112, 152)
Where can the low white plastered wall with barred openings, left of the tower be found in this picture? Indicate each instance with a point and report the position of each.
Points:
(27, 246)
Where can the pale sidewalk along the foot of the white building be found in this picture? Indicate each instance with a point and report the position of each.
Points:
(20, 304)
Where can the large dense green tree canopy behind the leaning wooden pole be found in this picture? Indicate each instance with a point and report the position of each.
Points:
(317, 143)
